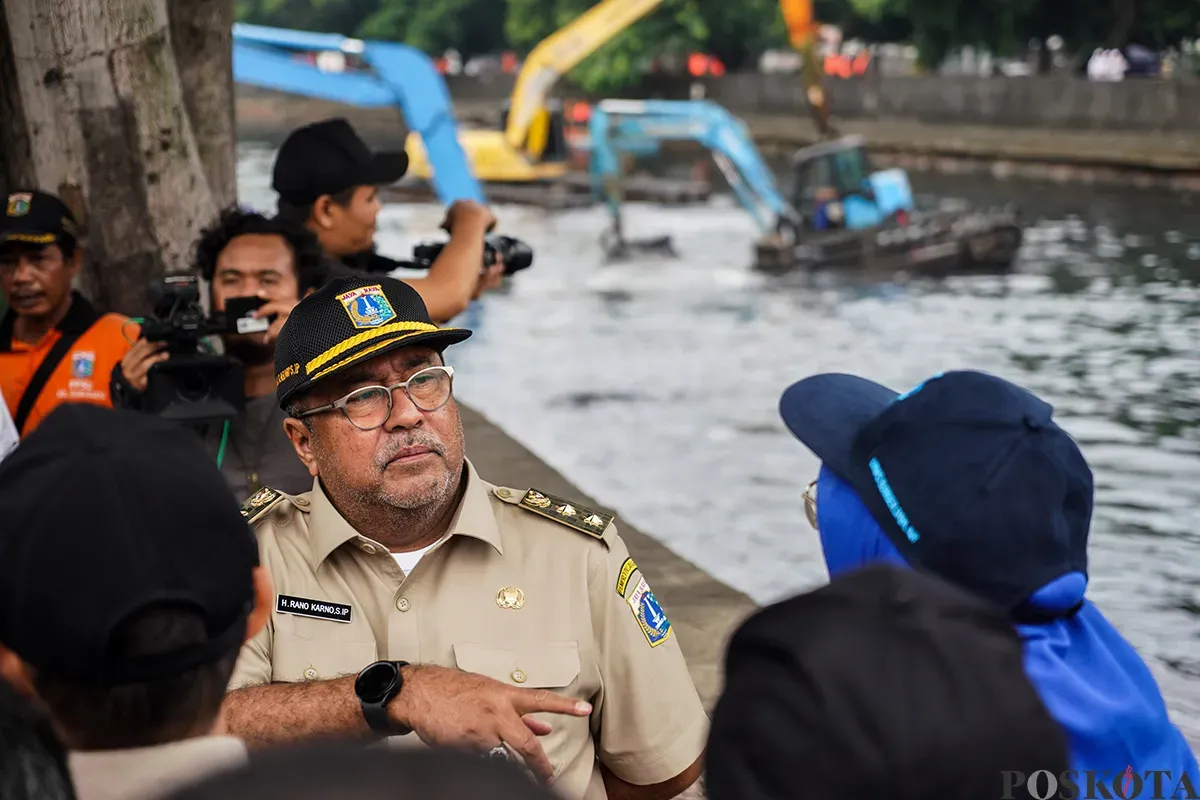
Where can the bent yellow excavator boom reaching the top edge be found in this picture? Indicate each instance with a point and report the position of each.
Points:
(560, 52)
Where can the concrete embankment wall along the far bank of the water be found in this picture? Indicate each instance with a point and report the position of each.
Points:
(1141, 133)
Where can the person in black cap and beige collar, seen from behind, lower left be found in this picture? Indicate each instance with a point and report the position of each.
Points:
(124, 629)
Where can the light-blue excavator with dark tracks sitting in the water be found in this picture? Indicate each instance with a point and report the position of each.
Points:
(837, 212)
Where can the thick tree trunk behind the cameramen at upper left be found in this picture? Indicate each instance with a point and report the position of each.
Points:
(93, 109)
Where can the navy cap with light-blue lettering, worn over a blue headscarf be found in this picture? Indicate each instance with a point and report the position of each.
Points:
(968, 474)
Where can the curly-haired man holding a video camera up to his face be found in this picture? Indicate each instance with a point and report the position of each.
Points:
(257, 270)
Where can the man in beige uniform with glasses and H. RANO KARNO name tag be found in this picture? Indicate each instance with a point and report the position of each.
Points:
(404, 554)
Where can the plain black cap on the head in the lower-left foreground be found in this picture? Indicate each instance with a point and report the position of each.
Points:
(107, 514)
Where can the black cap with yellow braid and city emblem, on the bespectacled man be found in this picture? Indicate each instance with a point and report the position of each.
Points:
(349, 321)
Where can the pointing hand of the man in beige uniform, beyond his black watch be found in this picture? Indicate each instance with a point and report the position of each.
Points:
(461, 709)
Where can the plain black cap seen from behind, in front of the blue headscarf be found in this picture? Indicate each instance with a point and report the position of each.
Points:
(886, 683)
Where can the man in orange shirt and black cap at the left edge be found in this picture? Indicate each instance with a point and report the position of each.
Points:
(55, 346)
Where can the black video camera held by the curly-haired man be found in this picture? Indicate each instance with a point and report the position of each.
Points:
(190, 387)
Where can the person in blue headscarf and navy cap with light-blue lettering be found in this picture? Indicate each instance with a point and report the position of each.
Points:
(968, 477)
